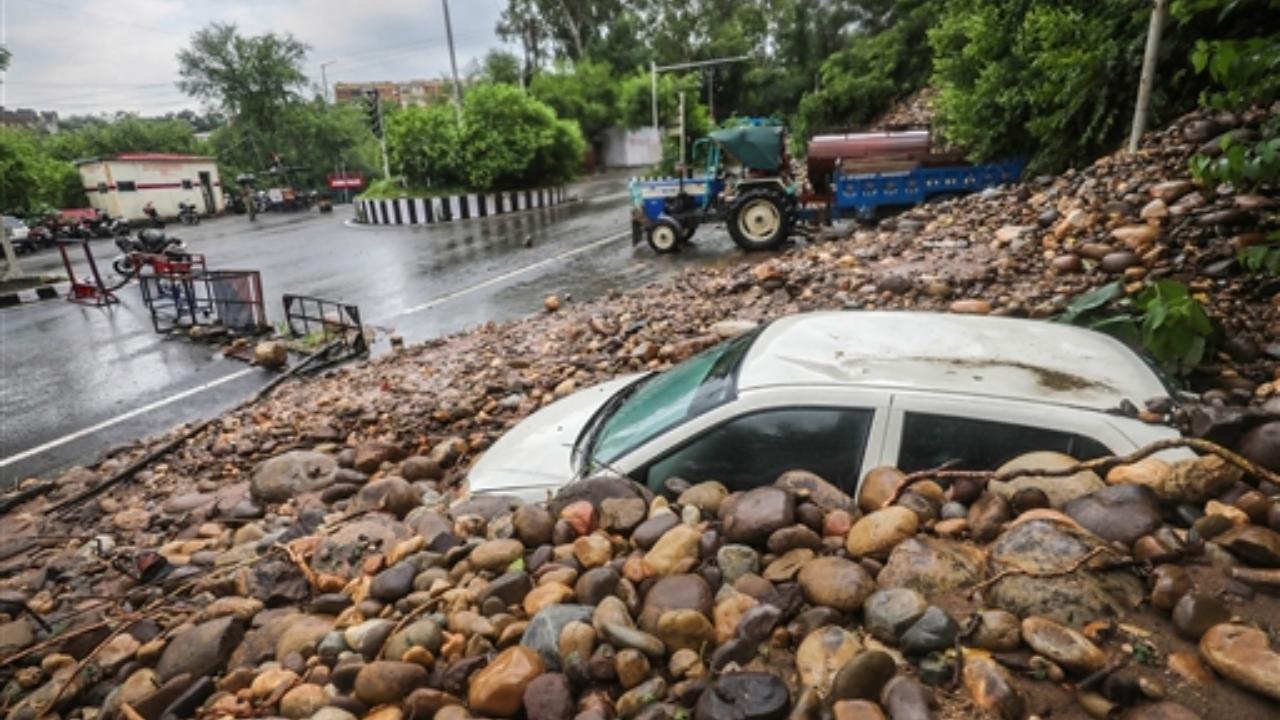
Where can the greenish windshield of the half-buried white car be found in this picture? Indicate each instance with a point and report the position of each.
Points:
(684, 393)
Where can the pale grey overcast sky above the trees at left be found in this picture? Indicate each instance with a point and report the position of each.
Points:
(80, 57)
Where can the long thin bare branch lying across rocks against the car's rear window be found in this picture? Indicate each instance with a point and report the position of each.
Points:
(1098, 464)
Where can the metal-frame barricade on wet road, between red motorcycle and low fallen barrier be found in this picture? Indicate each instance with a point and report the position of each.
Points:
(185, 298)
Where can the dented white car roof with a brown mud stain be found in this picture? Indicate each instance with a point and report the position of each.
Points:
(1004, 358)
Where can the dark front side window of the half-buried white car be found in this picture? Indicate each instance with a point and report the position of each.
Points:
(753, 450)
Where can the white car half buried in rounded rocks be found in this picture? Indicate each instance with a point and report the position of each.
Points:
(838, 394)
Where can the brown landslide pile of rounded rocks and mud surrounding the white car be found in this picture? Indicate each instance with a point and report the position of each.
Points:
(298, 559)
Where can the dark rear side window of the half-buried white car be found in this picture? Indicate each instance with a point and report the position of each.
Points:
(932, 441)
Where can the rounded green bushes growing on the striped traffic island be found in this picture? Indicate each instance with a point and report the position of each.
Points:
(506, 139)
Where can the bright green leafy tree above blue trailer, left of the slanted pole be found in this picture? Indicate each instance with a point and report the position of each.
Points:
(1053, 80)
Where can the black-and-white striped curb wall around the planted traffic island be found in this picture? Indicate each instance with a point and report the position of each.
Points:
(450, 208)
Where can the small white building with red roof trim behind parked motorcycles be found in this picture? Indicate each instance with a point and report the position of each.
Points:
(125, 184)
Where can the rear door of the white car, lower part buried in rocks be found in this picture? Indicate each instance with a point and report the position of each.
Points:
(927, 431)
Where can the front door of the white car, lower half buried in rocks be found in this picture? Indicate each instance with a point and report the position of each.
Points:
(749, 443)
